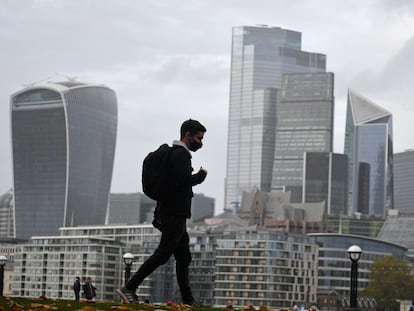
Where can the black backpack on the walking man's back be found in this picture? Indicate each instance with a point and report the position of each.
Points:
(155, 181)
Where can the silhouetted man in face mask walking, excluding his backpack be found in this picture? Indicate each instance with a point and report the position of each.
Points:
(172, 213)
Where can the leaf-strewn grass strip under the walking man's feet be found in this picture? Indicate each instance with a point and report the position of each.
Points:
(44, 304)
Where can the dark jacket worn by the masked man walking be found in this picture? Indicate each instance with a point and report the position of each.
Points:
(182, 180)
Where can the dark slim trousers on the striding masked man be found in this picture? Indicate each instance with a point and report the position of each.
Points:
(174, 240)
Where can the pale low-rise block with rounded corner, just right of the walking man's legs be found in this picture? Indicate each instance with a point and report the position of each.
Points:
(265, 267)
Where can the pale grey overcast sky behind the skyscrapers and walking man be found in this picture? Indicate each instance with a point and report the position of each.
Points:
(170, 60)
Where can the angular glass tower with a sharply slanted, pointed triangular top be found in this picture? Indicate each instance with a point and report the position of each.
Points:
(368, 145)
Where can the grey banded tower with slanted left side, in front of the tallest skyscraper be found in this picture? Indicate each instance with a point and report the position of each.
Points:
(304, 124)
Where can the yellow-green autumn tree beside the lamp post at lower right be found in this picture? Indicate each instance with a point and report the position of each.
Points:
(390, 280)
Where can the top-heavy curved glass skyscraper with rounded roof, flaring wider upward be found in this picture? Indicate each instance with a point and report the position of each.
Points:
(63, 142)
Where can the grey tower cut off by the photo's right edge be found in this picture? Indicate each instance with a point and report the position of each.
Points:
(404, 182)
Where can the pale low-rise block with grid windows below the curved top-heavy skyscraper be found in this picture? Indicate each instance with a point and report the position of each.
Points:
(47, 266)
